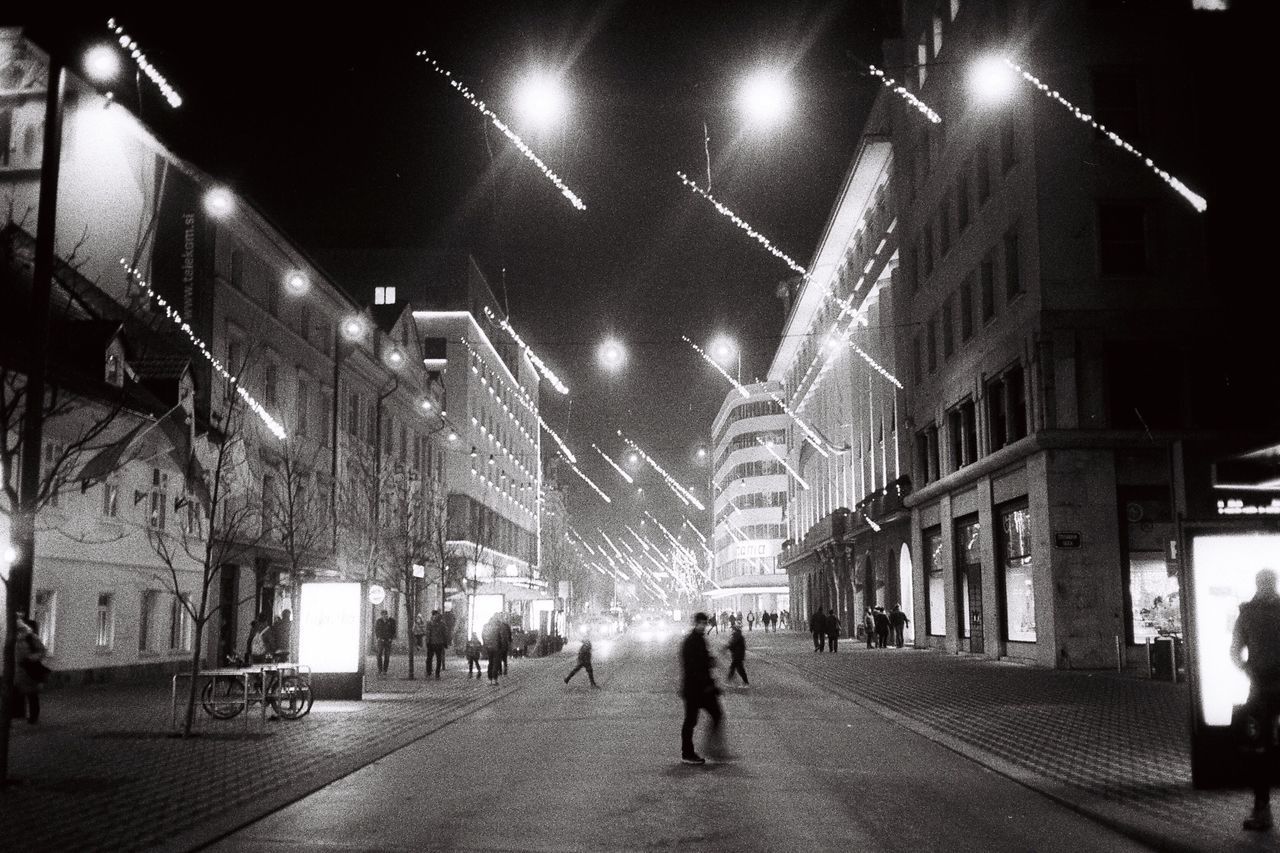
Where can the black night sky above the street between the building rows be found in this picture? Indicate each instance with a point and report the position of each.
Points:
(346, 140)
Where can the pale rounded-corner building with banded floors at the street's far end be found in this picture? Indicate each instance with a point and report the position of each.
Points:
(749, 483)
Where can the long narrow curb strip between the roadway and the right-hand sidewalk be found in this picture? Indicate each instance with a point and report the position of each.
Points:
(1021, 776)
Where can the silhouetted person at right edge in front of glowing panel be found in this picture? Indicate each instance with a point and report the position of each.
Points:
(1258, 631)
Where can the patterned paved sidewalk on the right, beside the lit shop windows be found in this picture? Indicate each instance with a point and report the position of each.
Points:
(1112, 746)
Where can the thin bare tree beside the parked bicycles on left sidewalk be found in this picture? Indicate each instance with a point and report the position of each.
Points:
(223, 526)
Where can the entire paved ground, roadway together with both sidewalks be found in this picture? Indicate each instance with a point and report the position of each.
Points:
(867, 750)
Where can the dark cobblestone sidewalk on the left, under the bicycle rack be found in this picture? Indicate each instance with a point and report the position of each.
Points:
(102, 772)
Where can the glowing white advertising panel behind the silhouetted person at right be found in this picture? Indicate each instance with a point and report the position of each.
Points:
(1224, 571)
